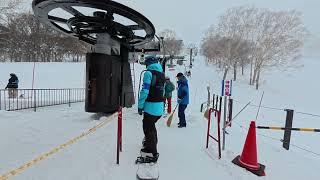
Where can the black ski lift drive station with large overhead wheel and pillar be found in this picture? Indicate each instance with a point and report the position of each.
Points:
(115, 32)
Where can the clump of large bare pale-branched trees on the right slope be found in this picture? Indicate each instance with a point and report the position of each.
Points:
(261, 37)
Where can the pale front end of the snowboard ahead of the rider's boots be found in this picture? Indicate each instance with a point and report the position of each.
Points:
(147, 171)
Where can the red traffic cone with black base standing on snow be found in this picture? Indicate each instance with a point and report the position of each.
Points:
(249, 157)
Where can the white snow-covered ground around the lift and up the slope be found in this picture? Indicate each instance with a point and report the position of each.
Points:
(24, 135)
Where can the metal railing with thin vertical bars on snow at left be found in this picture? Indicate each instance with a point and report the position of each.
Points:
(35, 98)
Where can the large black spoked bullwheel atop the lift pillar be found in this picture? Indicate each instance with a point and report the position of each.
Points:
(72, 18)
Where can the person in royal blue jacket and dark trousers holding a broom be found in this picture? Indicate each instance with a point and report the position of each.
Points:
(183, 99)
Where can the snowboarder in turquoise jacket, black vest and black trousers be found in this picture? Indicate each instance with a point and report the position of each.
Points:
(151, 103)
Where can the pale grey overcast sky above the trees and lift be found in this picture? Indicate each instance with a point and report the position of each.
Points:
(190, 18)
